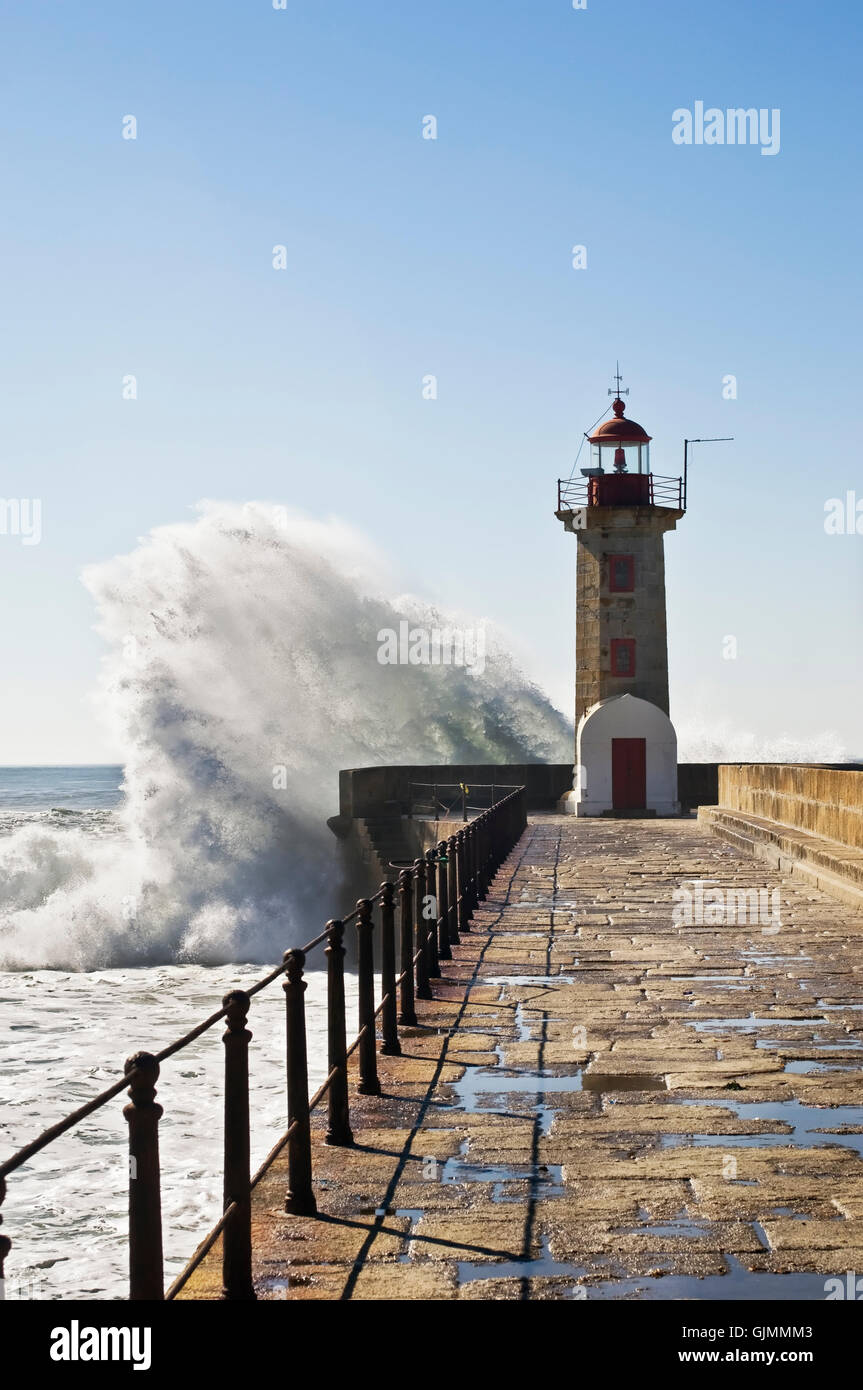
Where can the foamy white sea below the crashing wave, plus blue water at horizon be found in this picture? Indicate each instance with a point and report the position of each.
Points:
(63, 1039)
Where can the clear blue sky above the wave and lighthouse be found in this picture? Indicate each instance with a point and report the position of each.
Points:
(259, 127)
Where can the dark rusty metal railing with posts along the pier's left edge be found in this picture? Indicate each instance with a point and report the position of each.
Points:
(457, 876)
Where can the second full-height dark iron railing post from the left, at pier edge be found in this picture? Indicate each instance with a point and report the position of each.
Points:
(237, 1239)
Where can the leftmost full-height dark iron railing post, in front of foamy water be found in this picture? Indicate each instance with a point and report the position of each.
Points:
(142, 1114)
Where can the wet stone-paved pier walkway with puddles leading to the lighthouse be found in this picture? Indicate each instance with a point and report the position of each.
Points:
(605, 1100)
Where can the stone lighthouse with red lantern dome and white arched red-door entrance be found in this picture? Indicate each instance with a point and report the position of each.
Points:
(619, 512)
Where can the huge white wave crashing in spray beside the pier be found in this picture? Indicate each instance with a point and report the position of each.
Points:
(243, 673)
